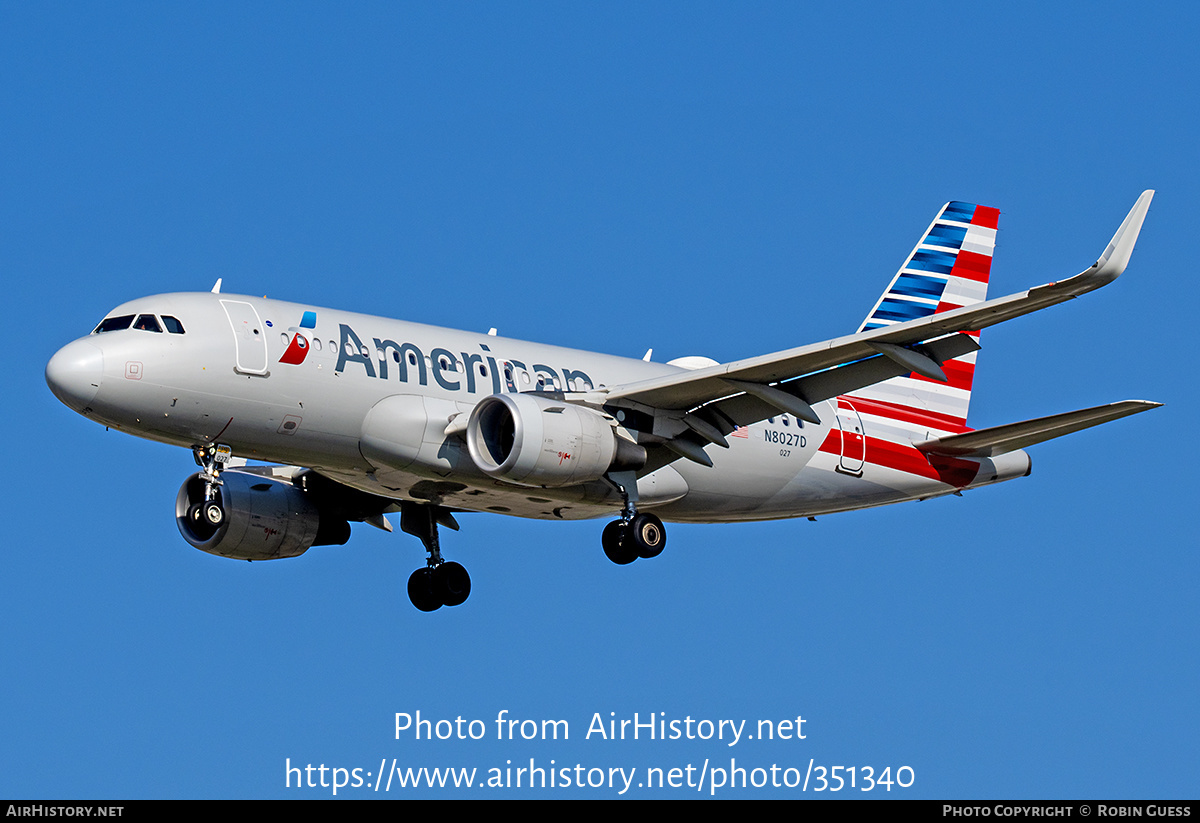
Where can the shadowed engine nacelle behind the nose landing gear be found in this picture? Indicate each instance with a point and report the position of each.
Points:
(263, 519)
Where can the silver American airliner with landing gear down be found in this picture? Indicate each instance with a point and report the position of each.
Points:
(351, 418)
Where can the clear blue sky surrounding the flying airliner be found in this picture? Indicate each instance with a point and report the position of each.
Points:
(704, 179)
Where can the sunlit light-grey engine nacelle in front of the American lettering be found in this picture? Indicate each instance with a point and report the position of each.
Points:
(539, 442)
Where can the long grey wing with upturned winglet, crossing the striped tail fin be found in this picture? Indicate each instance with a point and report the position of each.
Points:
(711, 403)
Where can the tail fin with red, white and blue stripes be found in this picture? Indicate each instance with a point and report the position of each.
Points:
(949, 269)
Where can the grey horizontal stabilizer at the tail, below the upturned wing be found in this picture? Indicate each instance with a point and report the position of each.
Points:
(1011, 437)
